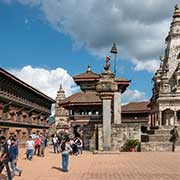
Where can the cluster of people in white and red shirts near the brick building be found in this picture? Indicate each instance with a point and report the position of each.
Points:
(36, 146)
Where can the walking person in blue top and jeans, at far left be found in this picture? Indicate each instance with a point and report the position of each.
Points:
(13, 151)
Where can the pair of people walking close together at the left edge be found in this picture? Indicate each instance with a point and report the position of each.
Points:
(9, 156)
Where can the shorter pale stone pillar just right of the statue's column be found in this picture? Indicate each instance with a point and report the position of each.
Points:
(117, 108)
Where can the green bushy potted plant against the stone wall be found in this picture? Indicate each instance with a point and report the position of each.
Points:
(130, 145)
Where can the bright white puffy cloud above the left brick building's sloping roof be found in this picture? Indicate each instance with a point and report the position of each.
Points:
(47, 81)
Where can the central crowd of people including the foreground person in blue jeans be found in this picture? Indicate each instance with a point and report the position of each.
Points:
(67, 146)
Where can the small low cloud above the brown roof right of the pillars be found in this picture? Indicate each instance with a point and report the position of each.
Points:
(133, 95)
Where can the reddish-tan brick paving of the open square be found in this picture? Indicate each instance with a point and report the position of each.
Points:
(125, 166)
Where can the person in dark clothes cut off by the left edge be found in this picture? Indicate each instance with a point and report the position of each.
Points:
(5, 157)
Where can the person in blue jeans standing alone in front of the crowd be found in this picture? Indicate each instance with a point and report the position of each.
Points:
(66, 149)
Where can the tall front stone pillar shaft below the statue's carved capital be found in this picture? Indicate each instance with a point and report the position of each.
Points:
(107, 123)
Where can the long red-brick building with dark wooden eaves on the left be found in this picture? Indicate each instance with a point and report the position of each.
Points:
(23, 109)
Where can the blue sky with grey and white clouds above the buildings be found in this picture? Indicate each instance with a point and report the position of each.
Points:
(46, 42)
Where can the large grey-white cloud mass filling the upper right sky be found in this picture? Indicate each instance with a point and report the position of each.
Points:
(138, 27)
